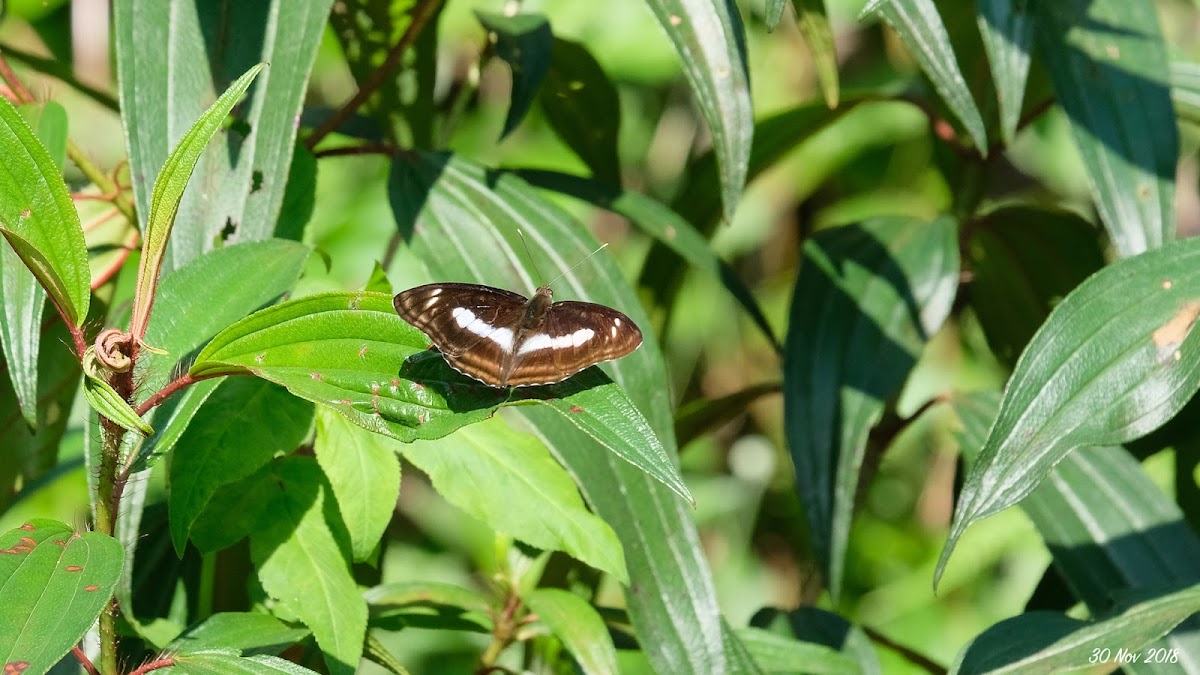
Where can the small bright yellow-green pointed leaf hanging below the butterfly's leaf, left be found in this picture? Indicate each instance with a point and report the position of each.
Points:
(364, 474)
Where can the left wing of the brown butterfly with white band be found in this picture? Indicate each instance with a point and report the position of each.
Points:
(473, 326)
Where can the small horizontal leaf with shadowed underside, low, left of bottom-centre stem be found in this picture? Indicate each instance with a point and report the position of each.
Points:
(428, 605)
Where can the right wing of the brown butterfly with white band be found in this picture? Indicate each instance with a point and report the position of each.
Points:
(575, 336)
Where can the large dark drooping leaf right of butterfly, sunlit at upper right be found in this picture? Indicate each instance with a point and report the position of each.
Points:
(868, 298)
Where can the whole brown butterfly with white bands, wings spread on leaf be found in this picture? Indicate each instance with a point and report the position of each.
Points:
(505, 339)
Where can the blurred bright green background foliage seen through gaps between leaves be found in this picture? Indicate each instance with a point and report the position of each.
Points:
(881, 157)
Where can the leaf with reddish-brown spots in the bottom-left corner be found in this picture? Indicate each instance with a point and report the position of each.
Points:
(55, 584)
